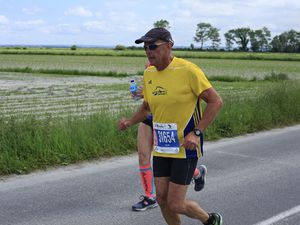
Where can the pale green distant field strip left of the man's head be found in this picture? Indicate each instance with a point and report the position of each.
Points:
(96, 64)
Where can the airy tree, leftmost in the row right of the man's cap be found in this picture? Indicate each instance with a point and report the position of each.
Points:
(205, 32)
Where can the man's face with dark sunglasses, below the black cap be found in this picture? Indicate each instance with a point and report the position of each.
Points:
(156, 51)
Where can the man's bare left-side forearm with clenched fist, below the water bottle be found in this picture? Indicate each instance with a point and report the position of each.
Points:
(139, 116)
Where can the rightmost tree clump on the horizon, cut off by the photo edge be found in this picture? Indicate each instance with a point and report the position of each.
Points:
(288, 41)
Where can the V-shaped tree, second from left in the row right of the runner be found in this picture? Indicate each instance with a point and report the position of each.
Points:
(241, 37)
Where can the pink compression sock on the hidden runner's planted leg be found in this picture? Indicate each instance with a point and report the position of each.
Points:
(147, 180)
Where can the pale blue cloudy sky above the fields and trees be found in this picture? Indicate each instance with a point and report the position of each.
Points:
(112, 22)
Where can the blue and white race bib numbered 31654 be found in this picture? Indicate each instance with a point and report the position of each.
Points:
(166, 138)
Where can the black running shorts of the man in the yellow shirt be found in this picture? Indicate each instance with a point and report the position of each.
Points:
(180, 171)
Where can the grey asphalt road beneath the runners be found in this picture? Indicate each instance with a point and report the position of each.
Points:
(254, 179)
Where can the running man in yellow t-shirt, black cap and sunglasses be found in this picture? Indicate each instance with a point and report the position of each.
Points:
(173, 89)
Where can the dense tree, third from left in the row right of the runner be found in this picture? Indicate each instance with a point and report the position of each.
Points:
(260, 39)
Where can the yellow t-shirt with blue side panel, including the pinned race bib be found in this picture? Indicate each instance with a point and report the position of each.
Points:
(172, 95)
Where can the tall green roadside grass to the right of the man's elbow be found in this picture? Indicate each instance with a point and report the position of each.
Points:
(273, 106)
